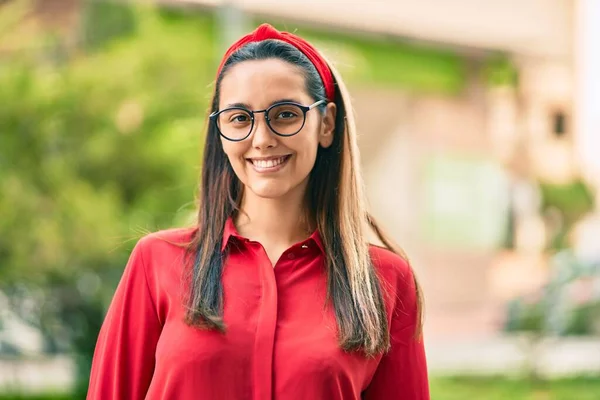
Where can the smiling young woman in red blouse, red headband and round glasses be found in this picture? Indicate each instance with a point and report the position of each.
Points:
(276, 292)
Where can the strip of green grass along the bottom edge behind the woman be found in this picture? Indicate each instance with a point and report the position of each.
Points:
(461, 388)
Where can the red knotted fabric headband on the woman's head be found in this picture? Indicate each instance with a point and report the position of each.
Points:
(266, 31)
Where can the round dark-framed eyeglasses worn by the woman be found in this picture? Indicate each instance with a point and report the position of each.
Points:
(285, 118)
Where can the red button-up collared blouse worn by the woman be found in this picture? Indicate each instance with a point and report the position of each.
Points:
(280, 341)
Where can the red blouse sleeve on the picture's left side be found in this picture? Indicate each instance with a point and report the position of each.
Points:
(124, 357)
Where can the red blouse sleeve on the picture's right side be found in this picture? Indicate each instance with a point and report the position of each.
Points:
(402, 372)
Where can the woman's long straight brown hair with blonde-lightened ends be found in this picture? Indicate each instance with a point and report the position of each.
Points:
(336, 204)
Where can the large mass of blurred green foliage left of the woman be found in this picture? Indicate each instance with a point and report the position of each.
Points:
(94, 151)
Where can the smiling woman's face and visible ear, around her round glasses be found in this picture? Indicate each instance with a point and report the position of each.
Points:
(269, 165)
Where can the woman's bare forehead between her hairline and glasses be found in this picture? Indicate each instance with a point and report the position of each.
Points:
(259, 83)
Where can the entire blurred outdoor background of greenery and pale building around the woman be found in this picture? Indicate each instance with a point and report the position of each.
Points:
(479, 132)
